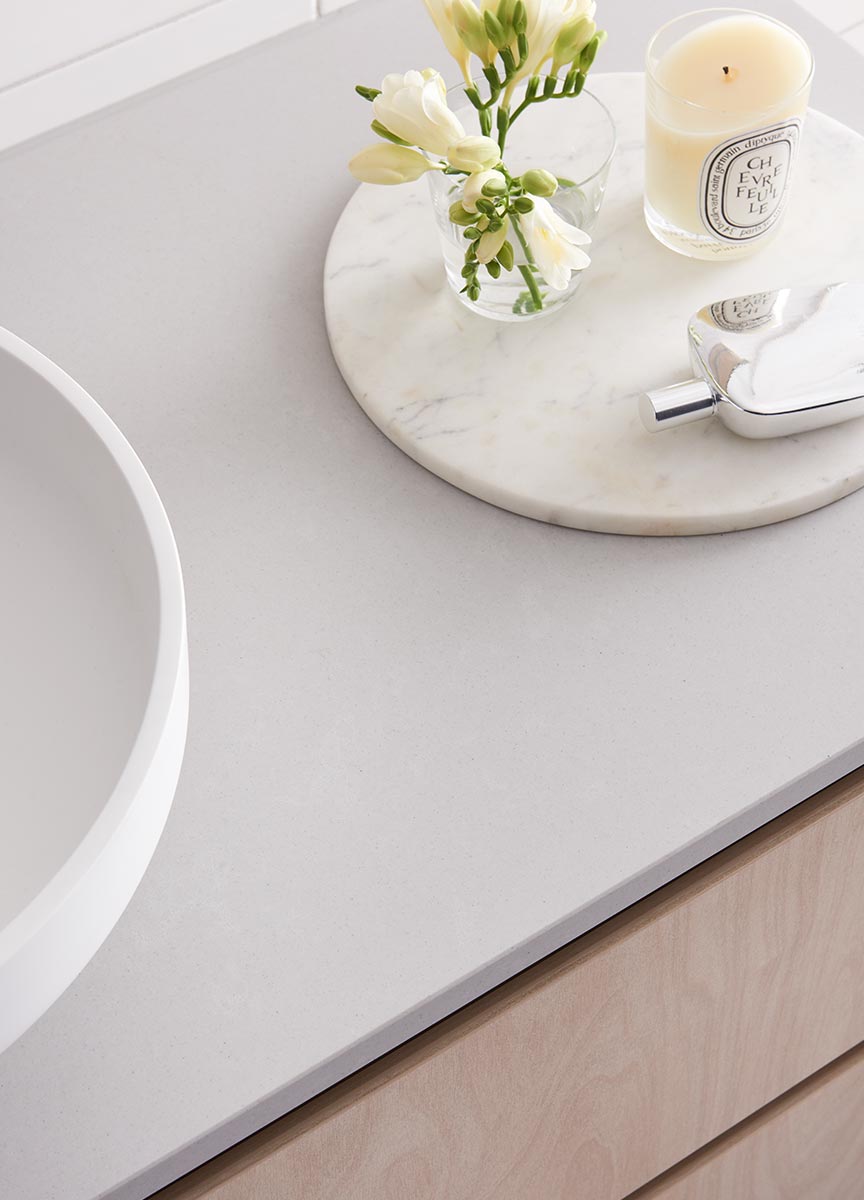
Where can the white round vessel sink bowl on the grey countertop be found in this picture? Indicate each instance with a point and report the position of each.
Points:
(94, 681)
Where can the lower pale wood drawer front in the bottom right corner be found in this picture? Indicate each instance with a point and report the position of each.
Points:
(809, 1145)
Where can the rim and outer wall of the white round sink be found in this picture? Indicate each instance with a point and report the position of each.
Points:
(151, 771)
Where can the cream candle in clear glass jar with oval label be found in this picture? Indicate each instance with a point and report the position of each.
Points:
(718, 173)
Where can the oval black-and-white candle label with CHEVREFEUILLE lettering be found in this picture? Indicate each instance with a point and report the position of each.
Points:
(746, 181)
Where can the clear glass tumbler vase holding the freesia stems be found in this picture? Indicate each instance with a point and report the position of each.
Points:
(572, 139)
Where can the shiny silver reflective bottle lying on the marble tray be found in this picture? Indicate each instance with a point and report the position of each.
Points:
(771, 364)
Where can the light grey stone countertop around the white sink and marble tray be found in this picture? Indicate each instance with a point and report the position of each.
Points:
(430, 741)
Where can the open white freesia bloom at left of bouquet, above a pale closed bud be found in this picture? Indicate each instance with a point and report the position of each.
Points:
(415, 107)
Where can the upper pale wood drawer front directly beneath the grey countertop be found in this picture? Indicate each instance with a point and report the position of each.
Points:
(613, 1060)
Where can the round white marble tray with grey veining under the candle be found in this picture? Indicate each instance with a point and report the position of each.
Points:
(542, 418)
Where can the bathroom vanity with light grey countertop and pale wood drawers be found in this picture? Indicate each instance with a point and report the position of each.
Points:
(507, 861)
